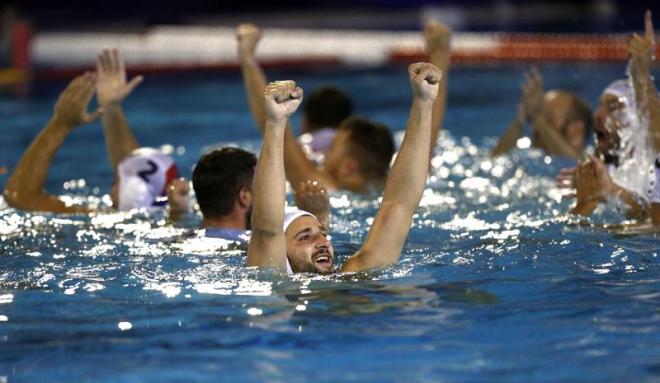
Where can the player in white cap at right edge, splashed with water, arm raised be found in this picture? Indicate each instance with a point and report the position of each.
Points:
(619, 140)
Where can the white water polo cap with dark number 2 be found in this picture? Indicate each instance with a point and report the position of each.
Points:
(143, 178)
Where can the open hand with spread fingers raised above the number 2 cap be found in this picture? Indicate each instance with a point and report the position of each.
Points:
(111, 85)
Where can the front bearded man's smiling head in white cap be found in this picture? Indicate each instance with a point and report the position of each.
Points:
(308, 248)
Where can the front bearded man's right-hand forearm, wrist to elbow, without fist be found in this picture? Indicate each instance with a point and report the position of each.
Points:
(407, 177)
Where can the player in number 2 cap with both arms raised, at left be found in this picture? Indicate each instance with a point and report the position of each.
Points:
(144, 177)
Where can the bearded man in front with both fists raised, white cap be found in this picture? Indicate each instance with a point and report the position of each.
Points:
(296, 240)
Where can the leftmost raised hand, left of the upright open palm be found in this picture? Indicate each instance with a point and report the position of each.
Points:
(71, 106)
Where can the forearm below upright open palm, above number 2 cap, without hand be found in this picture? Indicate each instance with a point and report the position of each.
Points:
(119, 139)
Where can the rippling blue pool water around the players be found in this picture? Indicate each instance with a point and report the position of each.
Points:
(496, 282)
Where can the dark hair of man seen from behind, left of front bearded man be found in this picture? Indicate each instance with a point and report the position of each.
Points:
(218, 178)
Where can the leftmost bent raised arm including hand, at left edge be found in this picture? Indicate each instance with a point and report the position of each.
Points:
(25, 188)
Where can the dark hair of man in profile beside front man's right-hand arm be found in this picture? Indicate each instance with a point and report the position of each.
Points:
(371, 144)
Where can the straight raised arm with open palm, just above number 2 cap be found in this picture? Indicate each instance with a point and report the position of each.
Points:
(111, 90)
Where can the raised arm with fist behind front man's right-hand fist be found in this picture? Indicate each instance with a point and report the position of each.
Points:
(438, 38)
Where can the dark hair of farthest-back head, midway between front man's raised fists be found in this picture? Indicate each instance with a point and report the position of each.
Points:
(327, 107)
